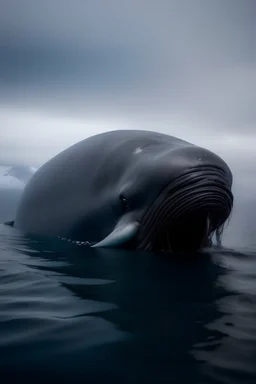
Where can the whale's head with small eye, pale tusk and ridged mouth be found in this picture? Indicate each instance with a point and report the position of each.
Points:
(172, 200)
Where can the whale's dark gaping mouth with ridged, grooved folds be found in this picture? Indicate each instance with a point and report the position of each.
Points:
(188, 212)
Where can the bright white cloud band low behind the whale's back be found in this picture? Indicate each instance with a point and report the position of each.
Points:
(40, 136)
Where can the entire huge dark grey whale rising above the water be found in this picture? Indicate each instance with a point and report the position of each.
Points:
(132, 189)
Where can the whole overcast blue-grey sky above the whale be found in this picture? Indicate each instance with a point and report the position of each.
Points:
(71, 69)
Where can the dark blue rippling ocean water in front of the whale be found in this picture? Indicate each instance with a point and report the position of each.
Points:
(72, 313)
